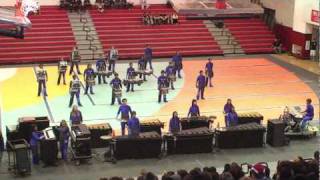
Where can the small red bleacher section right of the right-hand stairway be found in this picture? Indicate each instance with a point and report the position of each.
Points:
(253, 35)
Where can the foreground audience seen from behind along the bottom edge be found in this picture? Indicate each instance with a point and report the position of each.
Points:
(298, 169)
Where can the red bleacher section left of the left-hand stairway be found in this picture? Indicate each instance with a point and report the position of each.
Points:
(49, 39)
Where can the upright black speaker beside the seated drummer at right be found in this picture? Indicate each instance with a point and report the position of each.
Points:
(275, 133)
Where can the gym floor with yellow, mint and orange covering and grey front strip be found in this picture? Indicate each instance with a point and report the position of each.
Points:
(262, 84)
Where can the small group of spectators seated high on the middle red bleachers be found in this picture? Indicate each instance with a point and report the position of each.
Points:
(157, 19)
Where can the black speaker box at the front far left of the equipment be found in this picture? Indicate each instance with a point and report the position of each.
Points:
(23, 164)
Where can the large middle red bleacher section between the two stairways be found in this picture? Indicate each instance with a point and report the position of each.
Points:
(124, 30)
